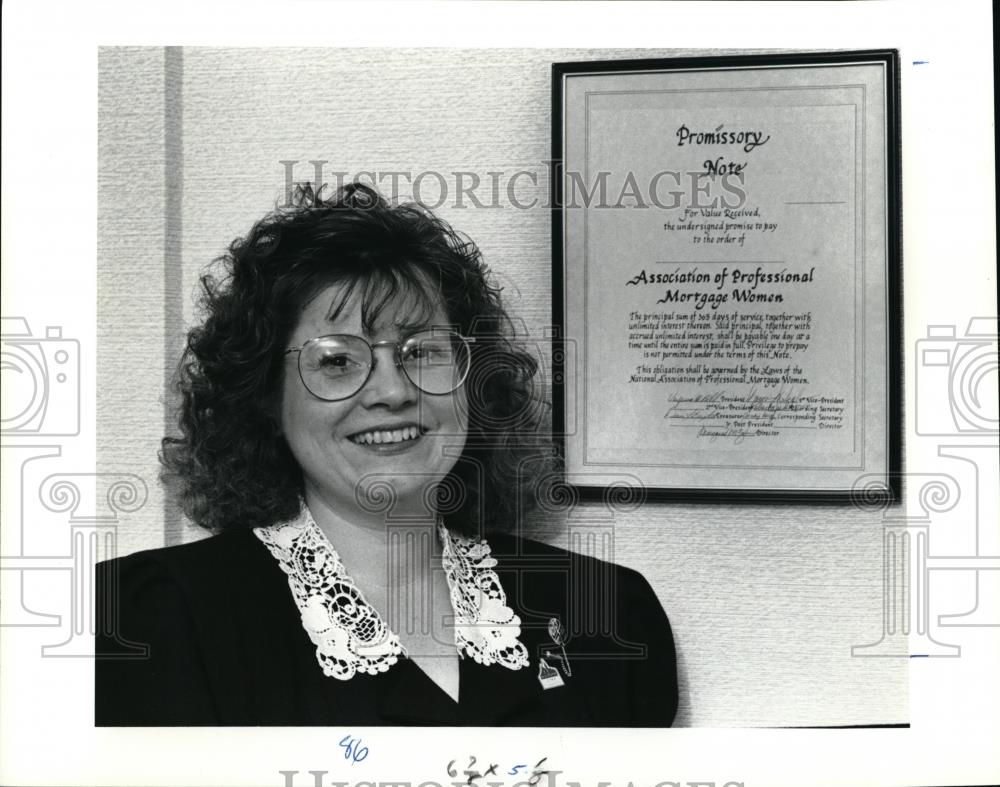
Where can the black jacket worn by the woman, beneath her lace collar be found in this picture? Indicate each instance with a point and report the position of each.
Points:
(226, 647)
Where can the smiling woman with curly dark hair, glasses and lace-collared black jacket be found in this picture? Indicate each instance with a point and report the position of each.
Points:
(357, 429)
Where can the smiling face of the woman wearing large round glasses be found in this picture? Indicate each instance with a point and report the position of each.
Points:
(355, 410)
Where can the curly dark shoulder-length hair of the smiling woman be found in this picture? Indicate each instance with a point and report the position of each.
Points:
(231, 468)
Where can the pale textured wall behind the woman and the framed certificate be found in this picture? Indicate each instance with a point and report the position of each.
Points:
(766, 601)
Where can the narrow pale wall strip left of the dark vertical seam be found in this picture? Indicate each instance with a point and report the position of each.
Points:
(132, 245)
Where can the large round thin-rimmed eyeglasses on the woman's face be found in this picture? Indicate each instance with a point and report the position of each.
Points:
(337, 366)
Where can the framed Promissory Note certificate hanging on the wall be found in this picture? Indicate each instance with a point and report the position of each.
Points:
(726, 271)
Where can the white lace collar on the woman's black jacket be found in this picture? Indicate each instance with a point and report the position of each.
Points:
(350, 636)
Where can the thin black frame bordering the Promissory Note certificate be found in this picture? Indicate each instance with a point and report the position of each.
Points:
(891, 491)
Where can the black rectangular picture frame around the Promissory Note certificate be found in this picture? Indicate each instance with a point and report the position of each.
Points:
(880, 486)
